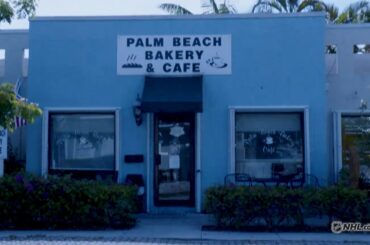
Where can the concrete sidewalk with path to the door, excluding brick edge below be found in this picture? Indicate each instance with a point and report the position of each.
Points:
(185, 227)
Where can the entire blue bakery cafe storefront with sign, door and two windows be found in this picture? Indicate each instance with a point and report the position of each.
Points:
(182, 101)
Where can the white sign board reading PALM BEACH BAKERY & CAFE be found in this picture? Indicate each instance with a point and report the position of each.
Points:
(174, 55)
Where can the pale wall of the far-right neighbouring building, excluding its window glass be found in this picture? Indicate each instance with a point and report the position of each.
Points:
(348, 80)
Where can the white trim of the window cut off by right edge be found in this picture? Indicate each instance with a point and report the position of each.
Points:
(337, 115)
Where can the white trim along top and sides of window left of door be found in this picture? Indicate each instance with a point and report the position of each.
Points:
(45, 130)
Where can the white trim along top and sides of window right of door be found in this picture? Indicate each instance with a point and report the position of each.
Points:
(269, 109)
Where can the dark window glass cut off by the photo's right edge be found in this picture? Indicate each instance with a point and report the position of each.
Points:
(356, 148)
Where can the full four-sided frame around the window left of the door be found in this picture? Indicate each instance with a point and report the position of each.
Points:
(46, 135)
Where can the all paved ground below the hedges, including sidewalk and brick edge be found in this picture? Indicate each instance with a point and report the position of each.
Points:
(174, 229)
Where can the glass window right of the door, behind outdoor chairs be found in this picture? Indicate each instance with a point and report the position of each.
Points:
(269, 144)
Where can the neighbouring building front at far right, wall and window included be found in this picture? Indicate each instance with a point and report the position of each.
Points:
(348, 91)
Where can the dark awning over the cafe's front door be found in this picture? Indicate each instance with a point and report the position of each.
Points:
(173, 94)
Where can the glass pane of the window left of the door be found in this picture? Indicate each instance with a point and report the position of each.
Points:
(82, 141)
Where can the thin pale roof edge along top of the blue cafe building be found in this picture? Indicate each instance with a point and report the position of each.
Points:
(175, 17)
